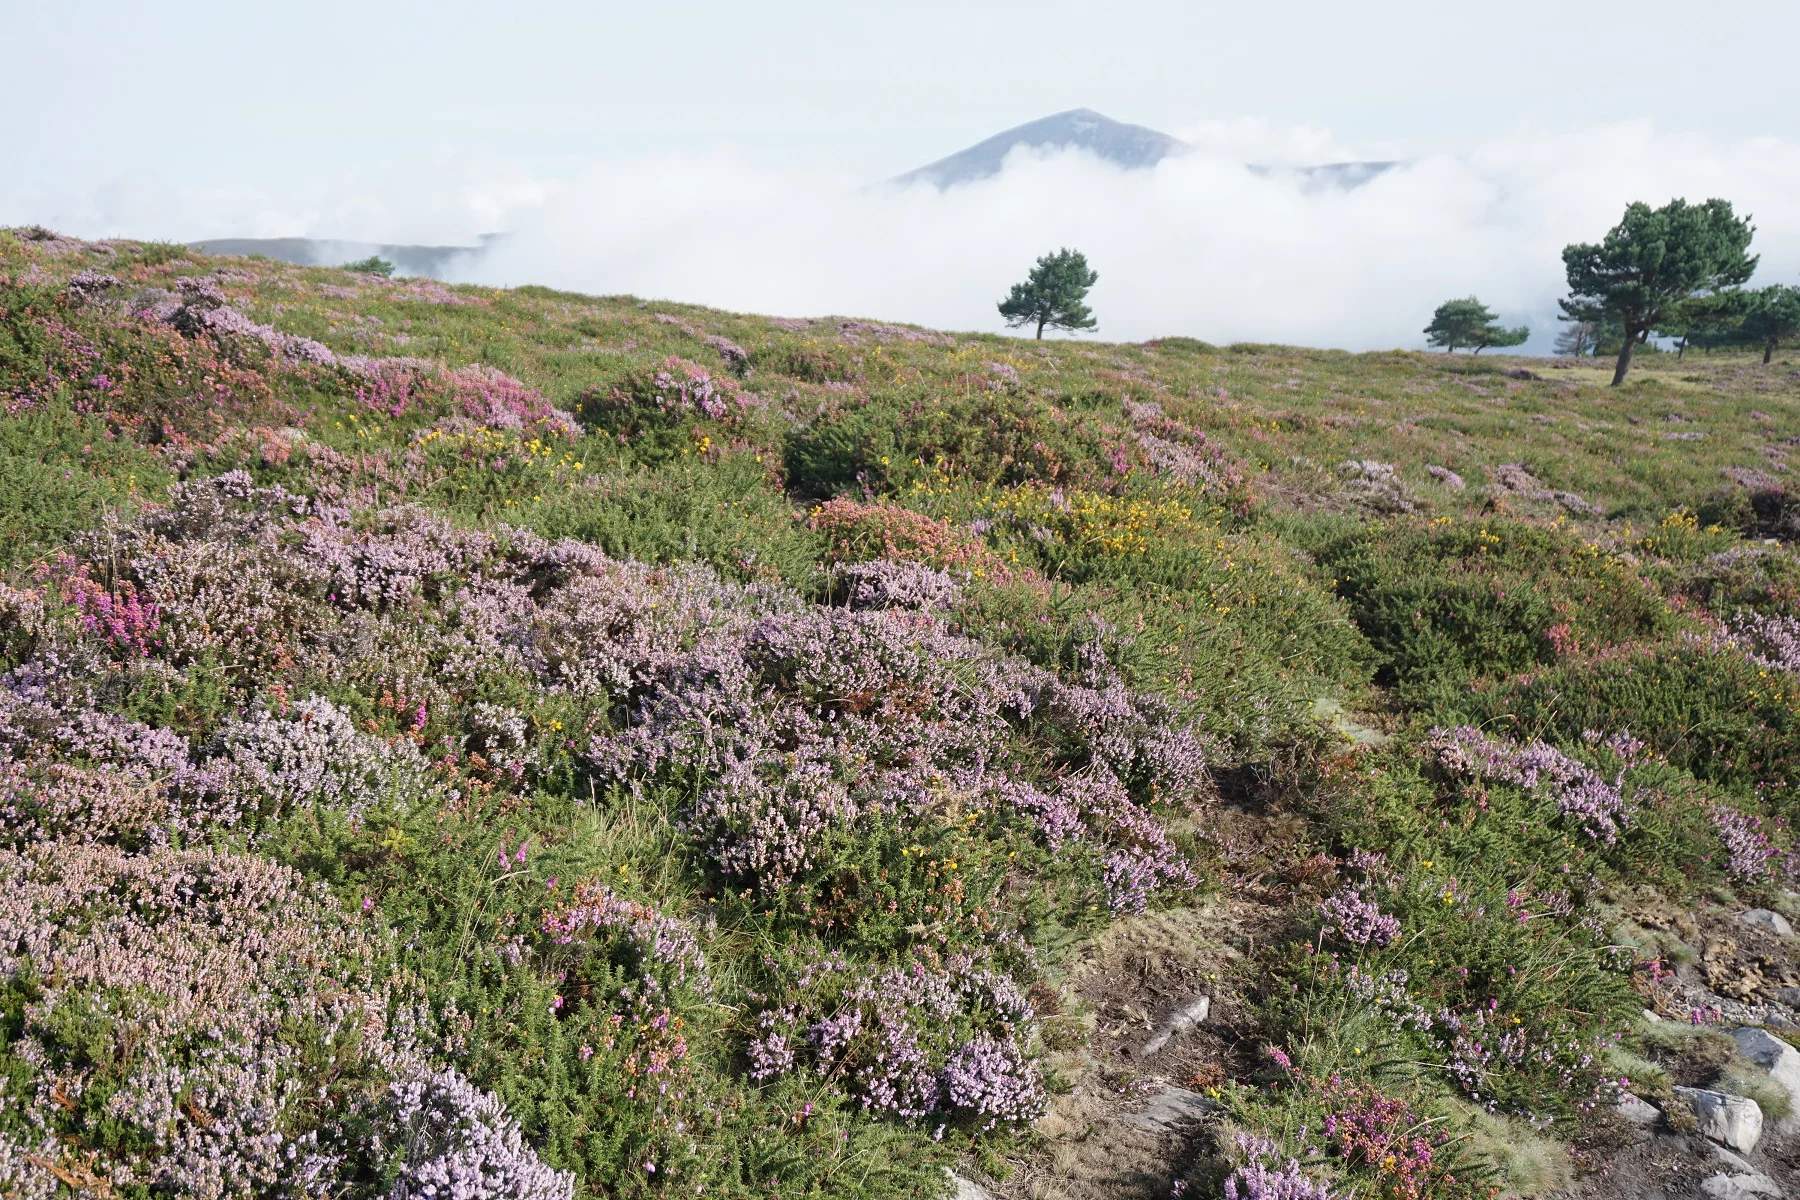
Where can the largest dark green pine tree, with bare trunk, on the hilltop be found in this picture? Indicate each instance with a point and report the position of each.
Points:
(1655, 262)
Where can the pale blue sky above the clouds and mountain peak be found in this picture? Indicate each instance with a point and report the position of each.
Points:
(247, 91)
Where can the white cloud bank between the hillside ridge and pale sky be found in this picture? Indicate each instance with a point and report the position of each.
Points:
(1198, 246)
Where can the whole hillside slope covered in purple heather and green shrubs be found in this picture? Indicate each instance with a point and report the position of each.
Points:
(528, 744)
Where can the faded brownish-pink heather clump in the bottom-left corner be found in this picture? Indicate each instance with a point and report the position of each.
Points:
(201, 967)
